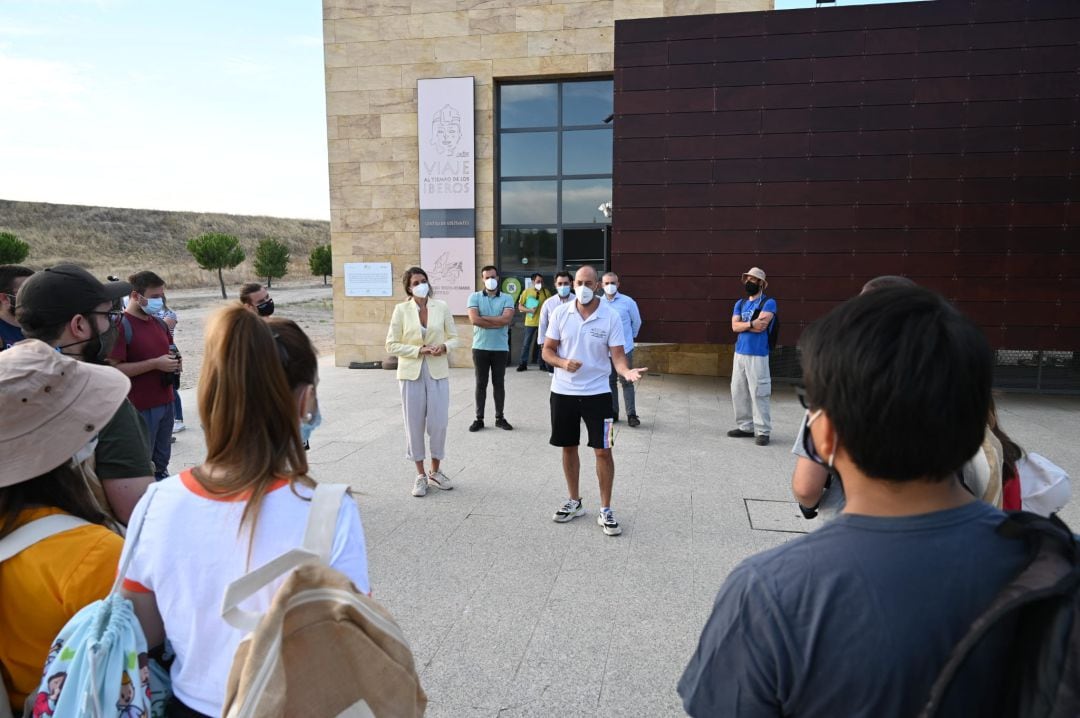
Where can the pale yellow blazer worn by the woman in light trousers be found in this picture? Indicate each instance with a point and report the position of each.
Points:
(404, 340)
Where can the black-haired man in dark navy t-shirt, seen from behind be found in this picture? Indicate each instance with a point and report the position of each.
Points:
(859, 618)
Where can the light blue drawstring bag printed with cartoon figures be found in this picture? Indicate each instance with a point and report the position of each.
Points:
(99, 666)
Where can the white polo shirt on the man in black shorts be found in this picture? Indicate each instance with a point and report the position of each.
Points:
(589, 342)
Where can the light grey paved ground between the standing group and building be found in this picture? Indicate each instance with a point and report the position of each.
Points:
(512, 615)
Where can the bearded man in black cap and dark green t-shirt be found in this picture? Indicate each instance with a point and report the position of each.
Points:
(67, 308)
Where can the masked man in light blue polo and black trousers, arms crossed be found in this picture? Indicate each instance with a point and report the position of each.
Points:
(491, 313)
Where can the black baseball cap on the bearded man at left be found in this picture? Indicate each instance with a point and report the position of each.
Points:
(56, 295)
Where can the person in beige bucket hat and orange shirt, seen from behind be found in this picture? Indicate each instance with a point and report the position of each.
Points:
(53, 411)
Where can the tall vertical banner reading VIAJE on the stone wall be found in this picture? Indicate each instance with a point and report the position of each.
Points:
(448, 188)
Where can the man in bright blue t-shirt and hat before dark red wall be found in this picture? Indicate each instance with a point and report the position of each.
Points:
(751, 382)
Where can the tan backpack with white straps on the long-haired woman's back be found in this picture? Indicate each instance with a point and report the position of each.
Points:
(323, 648)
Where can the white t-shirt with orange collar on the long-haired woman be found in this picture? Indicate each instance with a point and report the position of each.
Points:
(193, 547)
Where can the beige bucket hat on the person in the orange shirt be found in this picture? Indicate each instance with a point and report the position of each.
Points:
(53, 405)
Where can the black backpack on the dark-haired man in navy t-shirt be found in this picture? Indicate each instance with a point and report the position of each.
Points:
(1044, 601)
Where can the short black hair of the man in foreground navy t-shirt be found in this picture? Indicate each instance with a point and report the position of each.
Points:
(906, 378)
